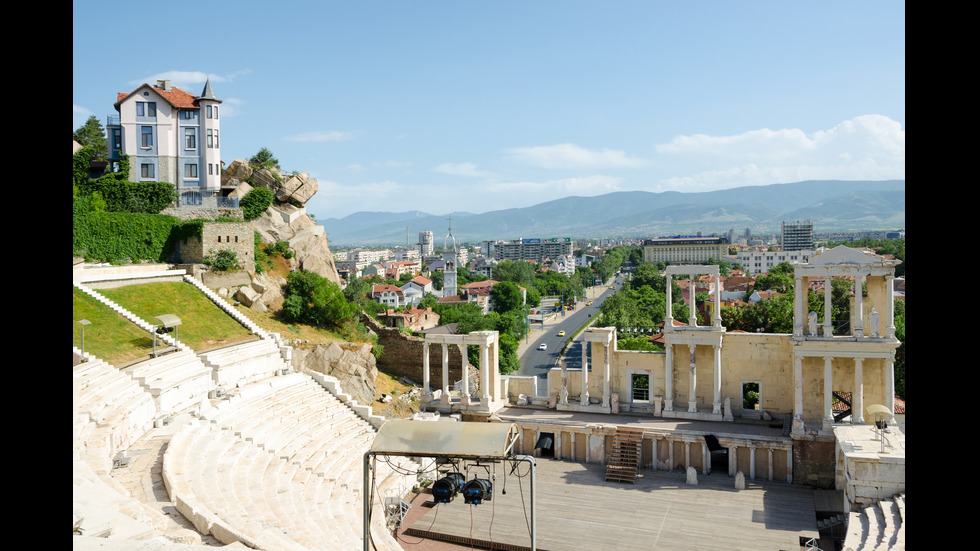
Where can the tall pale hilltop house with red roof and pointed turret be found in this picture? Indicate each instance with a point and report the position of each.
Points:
(170, 135)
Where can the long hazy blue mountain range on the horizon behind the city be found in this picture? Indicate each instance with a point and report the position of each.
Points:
(832, 205)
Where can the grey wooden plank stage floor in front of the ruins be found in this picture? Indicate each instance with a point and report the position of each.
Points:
(578, 509)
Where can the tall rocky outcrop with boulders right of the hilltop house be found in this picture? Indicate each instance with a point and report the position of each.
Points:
(286, 219)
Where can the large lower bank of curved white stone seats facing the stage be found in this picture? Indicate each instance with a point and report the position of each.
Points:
(278, 466)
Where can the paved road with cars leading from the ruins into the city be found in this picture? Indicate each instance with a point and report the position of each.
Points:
(538, 362)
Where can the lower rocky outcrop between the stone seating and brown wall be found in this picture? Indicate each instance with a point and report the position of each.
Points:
(351, 364)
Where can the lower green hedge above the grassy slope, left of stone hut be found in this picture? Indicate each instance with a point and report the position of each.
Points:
(115, 236)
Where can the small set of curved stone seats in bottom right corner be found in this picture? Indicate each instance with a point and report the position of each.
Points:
(877, 527)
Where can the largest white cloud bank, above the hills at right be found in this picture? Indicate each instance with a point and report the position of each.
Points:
(869, 147)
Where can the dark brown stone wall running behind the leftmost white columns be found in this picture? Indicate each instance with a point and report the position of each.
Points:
(402, 355)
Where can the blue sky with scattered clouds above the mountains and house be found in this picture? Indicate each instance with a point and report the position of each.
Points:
(479, 106)
